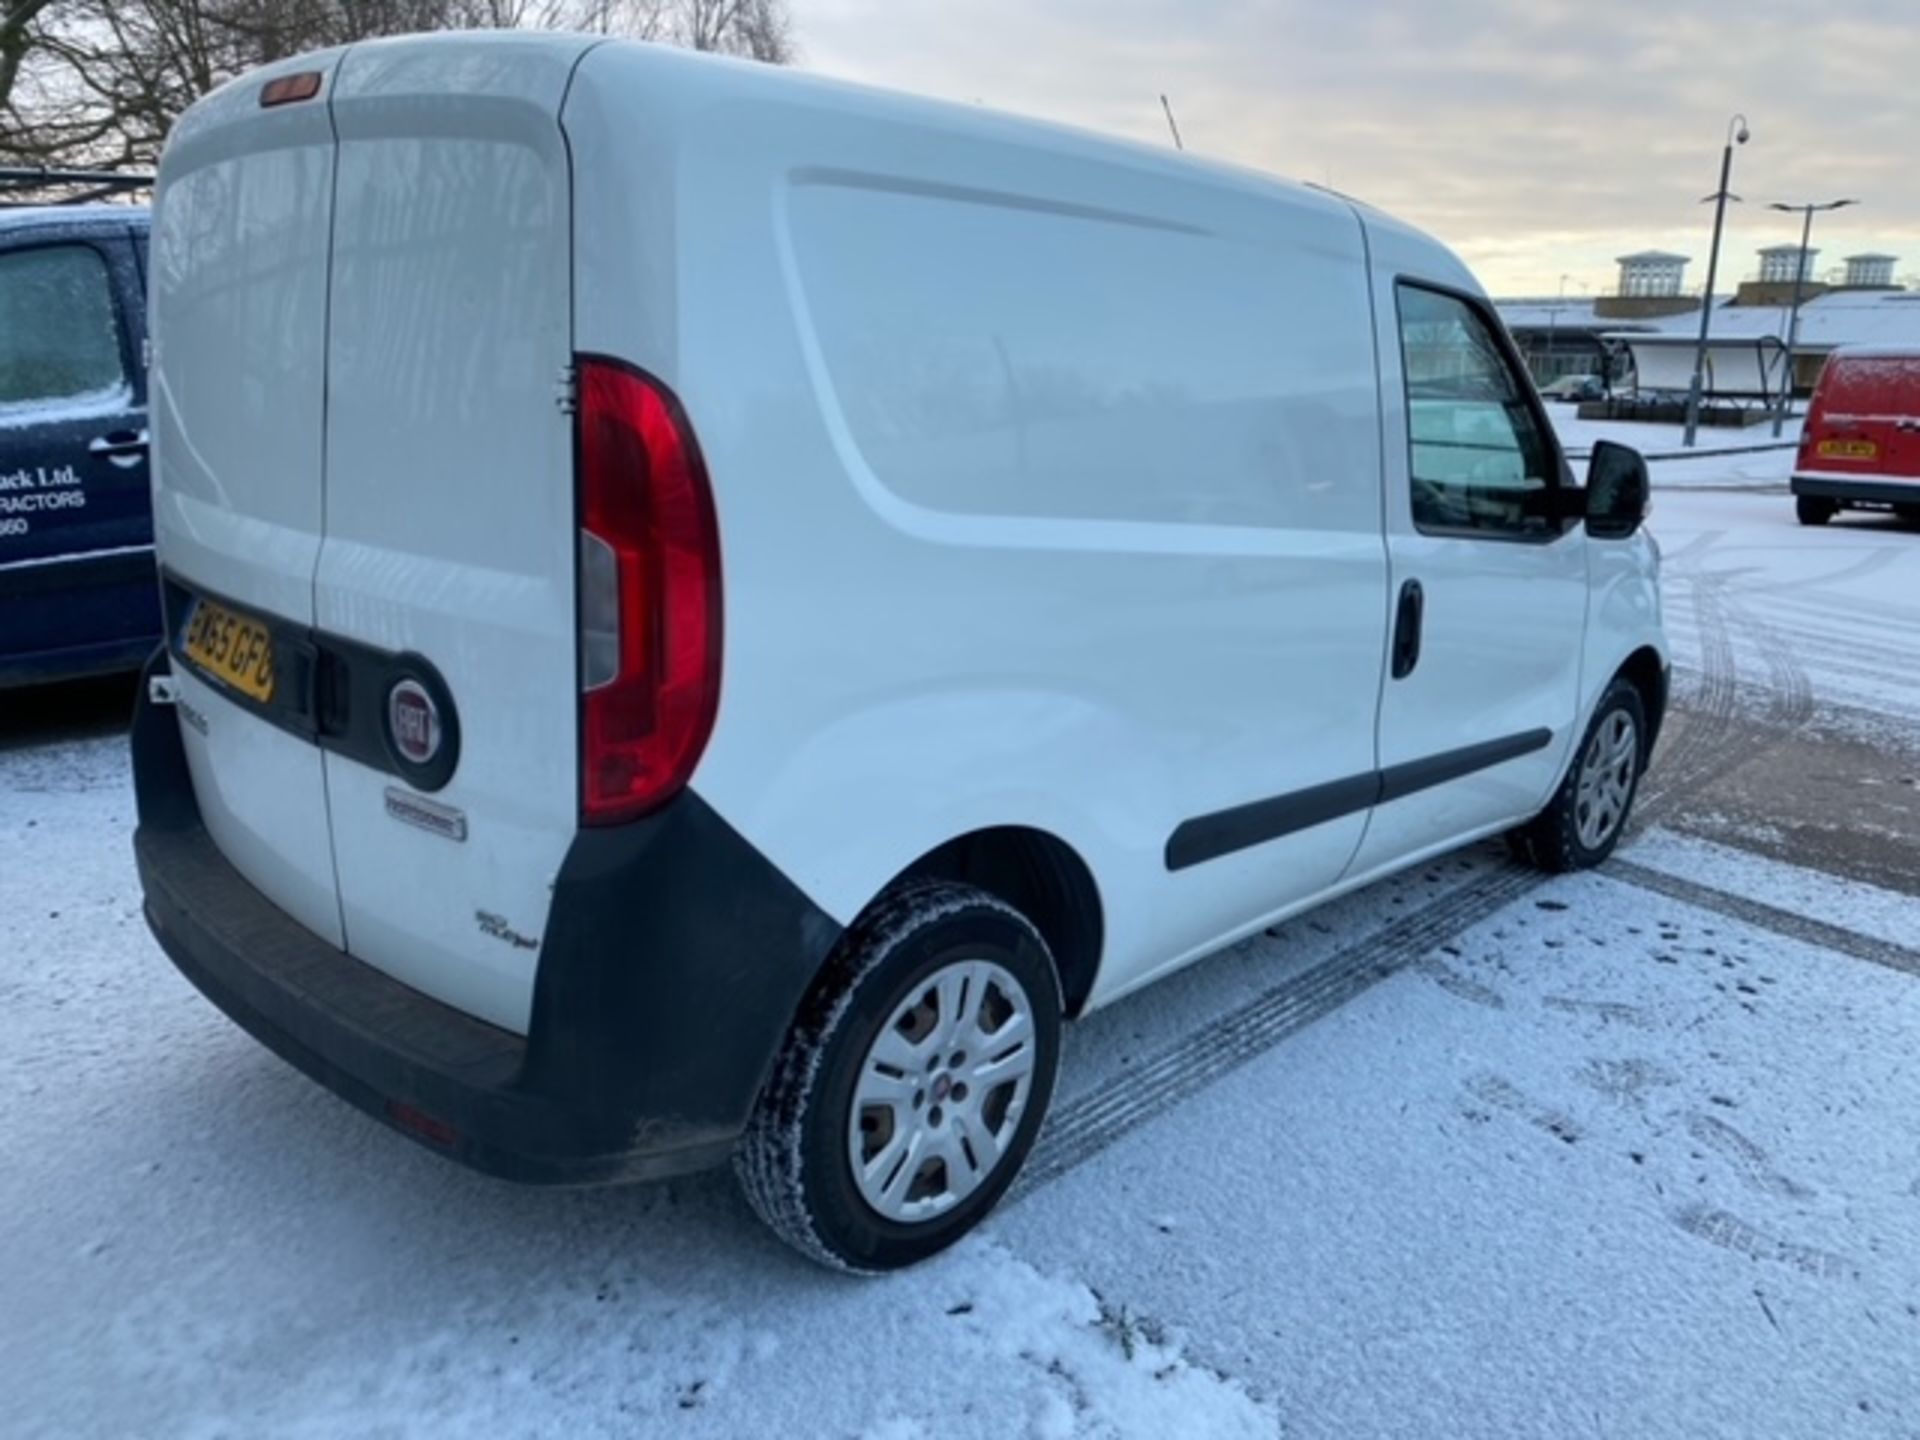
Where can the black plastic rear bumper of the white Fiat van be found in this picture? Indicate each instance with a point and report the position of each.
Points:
(673, 965)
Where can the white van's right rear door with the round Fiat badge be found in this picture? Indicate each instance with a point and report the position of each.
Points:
(450, 510)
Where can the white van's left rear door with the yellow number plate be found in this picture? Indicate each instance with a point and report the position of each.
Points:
(239, 308)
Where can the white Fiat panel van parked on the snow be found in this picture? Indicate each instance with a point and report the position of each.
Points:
(698, 629)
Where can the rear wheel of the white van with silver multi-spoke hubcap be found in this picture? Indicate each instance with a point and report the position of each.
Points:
(913, 1082)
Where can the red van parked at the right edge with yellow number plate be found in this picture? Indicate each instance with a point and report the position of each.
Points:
(1861, 446)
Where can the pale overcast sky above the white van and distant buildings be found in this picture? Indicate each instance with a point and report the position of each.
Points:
(1537, 137)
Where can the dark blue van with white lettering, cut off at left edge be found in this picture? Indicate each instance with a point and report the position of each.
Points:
(78, 587)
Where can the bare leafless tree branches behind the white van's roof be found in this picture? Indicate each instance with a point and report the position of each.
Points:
(101, 82)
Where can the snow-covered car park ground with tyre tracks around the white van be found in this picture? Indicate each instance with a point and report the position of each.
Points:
(1470, 1153)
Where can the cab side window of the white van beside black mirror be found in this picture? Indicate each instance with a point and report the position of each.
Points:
(1479, 460)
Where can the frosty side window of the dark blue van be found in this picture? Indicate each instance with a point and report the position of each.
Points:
(59, 333)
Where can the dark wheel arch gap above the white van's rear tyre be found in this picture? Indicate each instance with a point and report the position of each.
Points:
(1042, 876)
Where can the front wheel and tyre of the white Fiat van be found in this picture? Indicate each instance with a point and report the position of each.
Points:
(1587, 815)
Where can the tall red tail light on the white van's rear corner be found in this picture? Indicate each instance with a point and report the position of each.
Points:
(650, 594)
